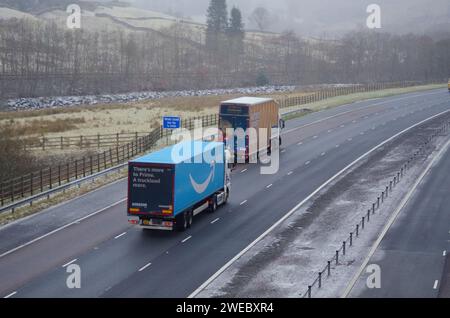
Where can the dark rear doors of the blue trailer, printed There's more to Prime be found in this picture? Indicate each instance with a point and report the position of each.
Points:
(150, 188)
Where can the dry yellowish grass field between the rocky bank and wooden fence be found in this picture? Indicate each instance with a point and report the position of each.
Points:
(110, 118)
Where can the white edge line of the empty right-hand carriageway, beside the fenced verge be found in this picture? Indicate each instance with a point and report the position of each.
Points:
(393, 218)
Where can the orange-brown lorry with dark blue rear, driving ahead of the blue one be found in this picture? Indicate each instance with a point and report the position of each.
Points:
(242, 114)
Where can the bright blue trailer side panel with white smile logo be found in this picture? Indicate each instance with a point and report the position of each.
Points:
(195, 182)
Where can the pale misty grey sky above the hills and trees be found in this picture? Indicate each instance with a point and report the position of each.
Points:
(321, 17)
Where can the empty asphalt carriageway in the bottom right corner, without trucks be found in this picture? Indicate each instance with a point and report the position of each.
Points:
(412, 255)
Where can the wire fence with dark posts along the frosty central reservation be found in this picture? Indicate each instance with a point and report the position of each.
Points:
(366, 218)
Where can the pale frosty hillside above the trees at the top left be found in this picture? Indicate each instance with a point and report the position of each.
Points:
(109, 15)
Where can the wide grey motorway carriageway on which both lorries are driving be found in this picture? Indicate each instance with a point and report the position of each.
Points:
(118, 260)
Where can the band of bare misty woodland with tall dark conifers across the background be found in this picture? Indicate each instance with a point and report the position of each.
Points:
(41, 58)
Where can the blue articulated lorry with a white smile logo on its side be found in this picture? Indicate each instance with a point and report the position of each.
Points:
(166, 189)
